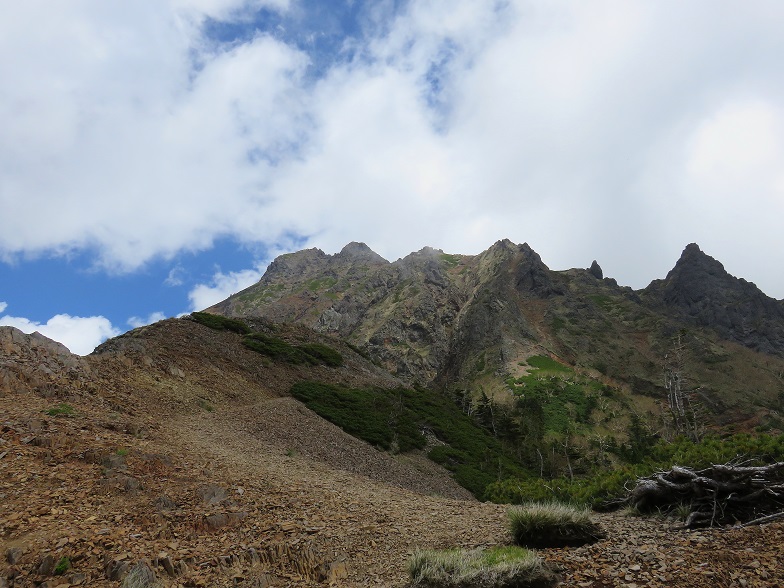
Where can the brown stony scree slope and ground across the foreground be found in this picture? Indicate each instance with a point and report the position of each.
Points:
(205, 471)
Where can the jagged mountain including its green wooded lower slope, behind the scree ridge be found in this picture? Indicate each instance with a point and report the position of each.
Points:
(567, 370)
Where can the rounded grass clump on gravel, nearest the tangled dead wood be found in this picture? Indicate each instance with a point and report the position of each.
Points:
(552, 524)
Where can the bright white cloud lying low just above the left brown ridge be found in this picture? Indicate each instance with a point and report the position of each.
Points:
(79, 334)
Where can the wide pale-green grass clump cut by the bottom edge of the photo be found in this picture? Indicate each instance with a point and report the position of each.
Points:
(505, 567)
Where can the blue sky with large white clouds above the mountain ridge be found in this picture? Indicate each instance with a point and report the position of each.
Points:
(156, 155)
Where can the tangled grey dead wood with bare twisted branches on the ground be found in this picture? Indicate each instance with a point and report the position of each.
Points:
(722, 494)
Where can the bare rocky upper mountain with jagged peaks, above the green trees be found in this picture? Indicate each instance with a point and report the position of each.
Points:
(469, 324)
